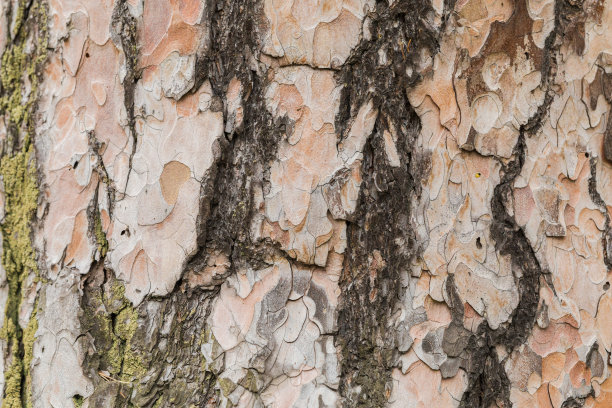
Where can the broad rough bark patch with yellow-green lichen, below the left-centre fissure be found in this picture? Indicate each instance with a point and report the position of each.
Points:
(150, 355)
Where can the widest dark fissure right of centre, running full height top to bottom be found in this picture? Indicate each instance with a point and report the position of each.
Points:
(381, 241)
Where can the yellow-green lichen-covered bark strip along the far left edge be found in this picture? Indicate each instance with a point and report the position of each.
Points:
(20, 64)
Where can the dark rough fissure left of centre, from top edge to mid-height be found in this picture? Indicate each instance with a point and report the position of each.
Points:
(244, 154)
